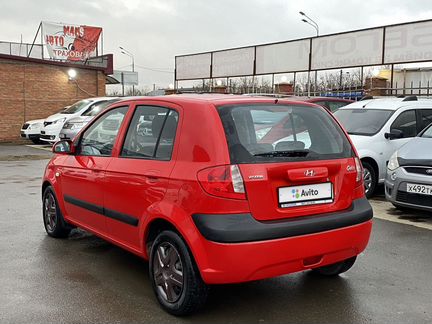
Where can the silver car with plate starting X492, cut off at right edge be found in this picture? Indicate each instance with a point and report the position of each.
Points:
(408, 181)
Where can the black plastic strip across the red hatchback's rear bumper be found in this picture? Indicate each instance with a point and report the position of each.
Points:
(237, 228)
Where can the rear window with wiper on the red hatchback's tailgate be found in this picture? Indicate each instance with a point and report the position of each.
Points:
(279, 133)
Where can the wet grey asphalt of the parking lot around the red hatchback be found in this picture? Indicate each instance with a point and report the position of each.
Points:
(84, 279)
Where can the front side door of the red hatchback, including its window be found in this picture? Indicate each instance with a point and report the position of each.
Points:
(82, 174)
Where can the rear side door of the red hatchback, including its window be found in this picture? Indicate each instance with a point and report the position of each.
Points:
(137, 179)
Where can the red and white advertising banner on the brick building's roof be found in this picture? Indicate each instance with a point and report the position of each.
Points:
(70, 42)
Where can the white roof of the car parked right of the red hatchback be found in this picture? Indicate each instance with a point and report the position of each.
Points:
(389, 103)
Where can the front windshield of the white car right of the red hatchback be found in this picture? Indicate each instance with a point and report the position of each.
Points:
(363, 121)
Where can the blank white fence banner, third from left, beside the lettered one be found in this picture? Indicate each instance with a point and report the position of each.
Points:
(283, 57)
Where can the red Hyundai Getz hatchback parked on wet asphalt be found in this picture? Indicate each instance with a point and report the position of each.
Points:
(188, 183)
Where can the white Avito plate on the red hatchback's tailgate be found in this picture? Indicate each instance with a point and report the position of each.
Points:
(321, 193)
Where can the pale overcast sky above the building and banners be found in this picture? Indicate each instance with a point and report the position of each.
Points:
(156, 31)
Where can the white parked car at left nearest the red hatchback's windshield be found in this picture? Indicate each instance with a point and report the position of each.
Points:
(74, 125)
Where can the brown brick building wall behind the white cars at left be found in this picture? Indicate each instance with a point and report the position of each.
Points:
(31, 90)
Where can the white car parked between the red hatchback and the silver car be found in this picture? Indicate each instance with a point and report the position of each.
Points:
(378, 127)
